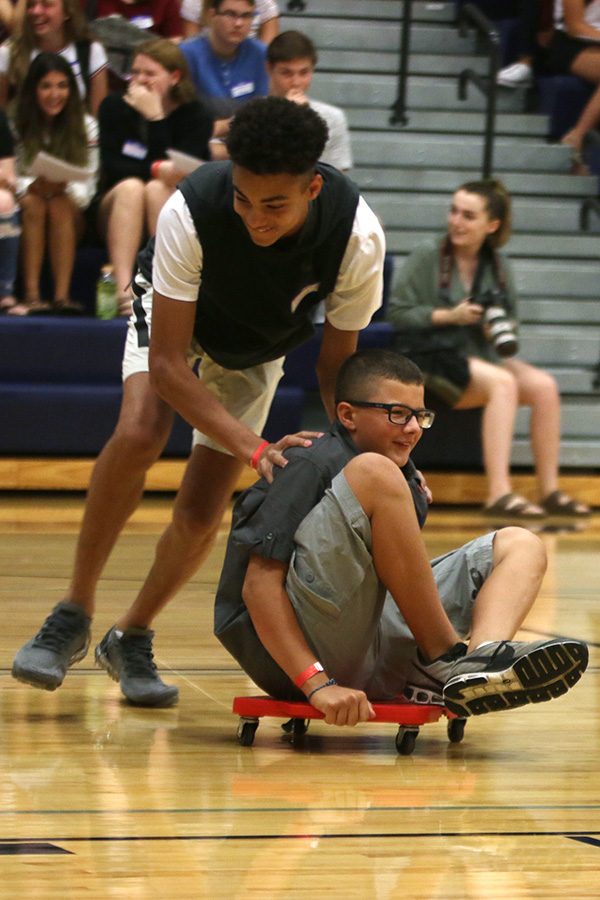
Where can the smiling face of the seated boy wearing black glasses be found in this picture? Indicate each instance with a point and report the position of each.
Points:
(371, 428)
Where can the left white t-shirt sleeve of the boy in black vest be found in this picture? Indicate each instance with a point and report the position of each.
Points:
(177, 264)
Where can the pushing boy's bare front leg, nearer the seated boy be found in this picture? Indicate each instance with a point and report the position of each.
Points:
(208, 484)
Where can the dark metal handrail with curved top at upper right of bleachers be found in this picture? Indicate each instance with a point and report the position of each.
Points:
(470, 16)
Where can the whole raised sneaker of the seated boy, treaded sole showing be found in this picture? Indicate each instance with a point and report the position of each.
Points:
(508, 674)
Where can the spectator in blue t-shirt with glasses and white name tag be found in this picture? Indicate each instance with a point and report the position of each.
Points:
(227, 66)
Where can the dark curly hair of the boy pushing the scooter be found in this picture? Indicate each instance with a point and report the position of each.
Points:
(273, 136)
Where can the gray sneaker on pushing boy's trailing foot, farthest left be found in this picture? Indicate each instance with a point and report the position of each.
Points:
(62, 640)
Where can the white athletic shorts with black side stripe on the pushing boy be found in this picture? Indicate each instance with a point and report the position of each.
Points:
(246, 394)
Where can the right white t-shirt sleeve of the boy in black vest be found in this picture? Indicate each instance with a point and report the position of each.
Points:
(359, 287)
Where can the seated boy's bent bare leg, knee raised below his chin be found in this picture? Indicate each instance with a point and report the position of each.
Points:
(381, 489)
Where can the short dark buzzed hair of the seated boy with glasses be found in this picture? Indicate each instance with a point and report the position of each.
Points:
(357, 374)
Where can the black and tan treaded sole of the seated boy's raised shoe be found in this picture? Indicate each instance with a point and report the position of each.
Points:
(543, 674)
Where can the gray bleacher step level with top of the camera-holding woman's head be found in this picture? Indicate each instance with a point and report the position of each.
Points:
(386, 177)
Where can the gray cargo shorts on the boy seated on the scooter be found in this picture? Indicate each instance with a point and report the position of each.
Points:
(348, 618)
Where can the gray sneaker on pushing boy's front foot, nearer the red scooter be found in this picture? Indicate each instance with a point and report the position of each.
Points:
(127, 657)
